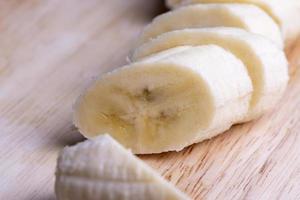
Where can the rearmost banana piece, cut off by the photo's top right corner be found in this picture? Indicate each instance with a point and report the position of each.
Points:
(285, 13)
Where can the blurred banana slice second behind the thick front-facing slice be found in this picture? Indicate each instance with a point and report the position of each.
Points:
(245, 16)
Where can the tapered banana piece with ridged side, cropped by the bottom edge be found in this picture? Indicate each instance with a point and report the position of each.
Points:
(103, 169)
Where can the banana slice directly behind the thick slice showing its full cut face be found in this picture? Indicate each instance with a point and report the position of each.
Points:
(266, 63)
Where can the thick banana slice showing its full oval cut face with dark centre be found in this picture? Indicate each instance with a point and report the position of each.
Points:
(167, 102)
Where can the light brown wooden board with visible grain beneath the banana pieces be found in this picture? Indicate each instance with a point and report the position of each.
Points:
(51, 50)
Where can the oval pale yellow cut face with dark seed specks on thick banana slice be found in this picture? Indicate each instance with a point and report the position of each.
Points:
(129, 102)
